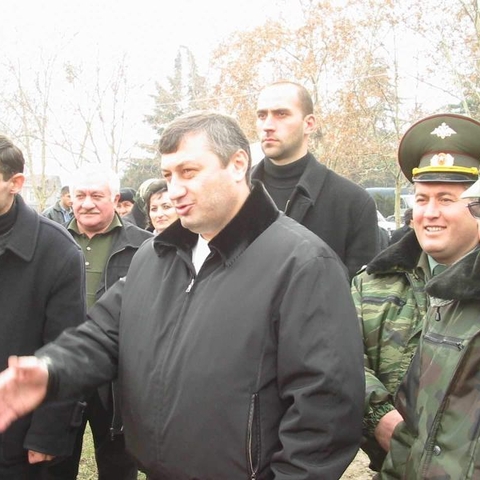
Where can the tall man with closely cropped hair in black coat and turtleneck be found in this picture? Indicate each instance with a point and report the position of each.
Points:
(337, 210)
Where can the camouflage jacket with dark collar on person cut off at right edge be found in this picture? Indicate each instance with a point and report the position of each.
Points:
(440, 396)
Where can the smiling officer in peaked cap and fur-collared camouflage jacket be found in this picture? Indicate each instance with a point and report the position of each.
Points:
(440, 155)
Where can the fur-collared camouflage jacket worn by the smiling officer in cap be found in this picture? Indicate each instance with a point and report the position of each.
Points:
(390, 298)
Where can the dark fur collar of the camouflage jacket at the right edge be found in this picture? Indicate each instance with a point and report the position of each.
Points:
(461, 281)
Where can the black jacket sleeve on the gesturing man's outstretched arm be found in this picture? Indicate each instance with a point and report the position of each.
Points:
(84, 358)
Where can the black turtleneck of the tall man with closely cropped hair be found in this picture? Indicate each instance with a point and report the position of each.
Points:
(280, 180)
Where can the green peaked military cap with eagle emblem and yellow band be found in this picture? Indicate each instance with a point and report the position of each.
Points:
(441, 148)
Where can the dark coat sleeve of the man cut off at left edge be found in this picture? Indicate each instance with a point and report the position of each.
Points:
(53, 426)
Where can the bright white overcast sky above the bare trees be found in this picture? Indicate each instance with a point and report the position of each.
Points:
(148, 33)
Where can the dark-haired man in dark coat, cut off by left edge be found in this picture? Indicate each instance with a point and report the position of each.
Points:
(41, 293)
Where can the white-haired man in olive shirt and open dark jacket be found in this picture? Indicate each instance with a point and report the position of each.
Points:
(108, 245)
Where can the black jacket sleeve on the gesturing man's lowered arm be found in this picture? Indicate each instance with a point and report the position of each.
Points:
(320, 374)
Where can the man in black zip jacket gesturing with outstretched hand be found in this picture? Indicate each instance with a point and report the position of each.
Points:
(234, 334)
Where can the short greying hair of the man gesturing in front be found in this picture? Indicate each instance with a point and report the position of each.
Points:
(224, 135)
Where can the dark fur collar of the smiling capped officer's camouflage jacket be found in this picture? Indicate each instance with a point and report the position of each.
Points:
(401, 256)
